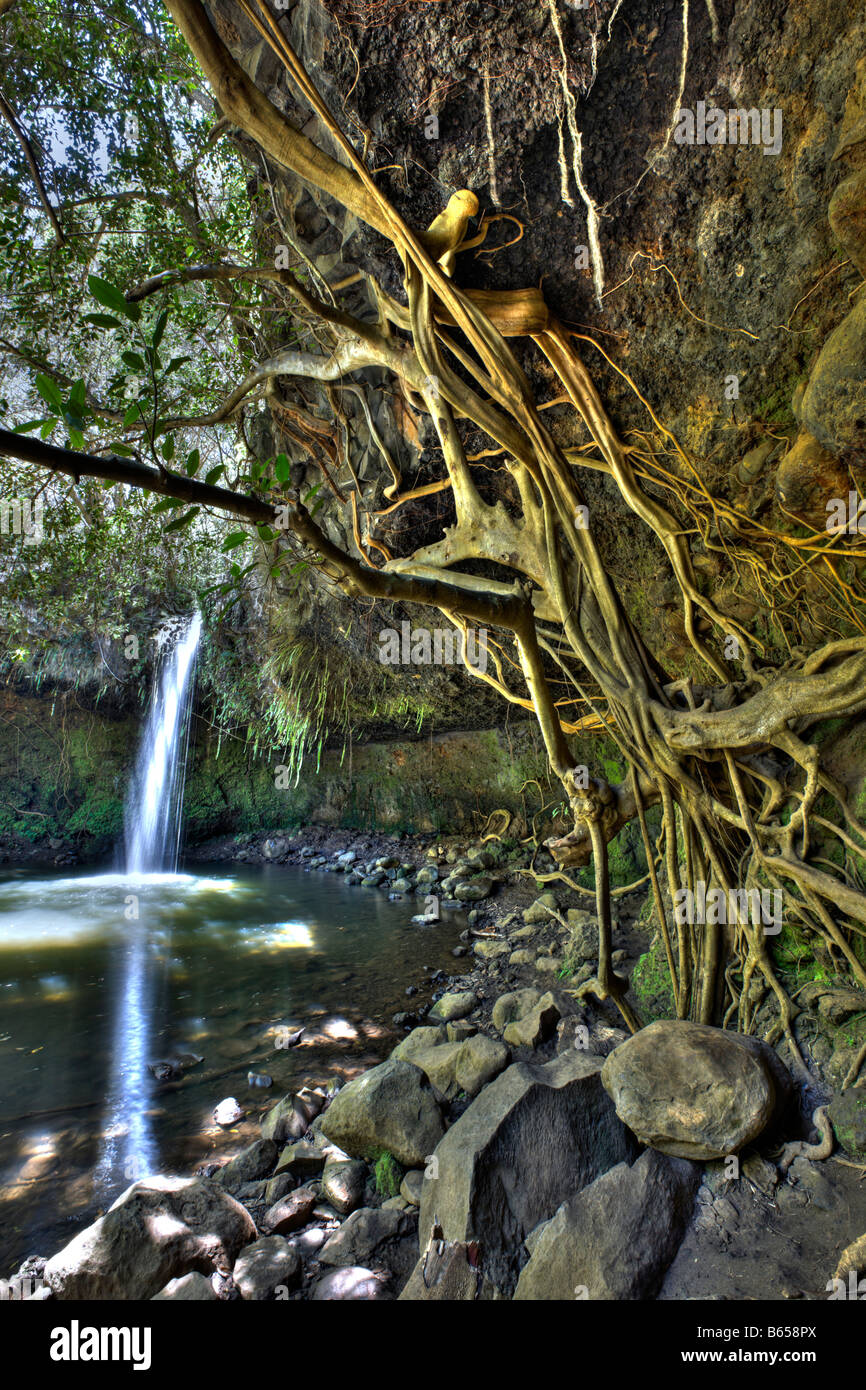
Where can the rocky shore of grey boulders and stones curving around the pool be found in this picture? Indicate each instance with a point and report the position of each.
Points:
(516, 1143)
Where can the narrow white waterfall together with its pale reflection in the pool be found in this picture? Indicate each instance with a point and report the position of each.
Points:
(152, 832)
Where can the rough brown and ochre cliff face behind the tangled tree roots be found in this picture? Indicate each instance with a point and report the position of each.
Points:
(721, 272)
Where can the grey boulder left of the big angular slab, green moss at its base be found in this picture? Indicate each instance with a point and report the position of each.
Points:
(390, 1107)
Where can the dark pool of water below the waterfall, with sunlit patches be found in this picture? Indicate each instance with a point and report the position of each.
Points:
(105, 975)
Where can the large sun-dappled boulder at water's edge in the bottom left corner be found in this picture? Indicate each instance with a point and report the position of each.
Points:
(156, 1231)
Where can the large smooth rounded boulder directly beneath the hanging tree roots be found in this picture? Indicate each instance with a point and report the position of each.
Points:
(693, 1090)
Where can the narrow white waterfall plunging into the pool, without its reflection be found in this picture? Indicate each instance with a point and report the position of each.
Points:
(154, 806)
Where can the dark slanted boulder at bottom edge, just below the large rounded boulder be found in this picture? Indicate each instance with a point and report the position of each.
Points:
(616, 1238)
